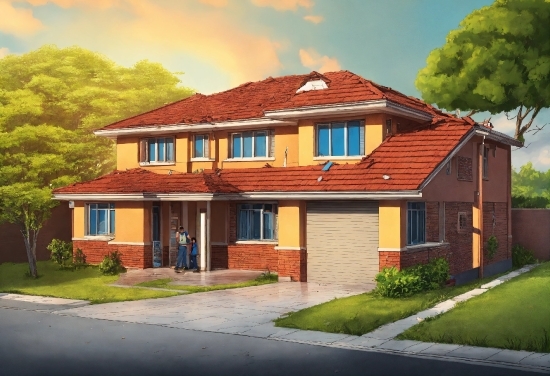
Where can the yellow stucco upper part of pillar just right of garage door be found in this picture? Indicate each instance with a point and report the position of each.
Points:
(391, 218)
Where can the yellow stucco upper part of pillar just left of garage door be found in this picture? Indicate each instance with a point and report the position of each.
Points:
(291, 223)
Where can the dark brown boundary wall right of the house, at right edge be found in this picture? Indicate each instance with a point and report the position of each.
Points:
(530, 230)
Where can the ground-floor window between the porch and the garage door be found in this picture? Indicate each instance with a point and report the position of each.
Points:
(257, 222)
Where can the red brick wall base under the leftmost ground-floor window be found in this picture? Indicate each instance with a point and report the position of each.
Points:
(132, 256)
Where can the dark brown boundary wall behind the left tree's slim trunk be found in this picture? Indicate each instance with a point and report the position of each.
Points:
(12, 247)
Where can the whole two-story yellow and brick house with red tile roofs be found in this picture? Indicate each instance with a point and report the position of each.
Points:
(324, 178)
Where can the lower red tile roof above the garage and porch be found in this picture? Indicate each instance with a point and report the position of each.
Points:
(407, 158)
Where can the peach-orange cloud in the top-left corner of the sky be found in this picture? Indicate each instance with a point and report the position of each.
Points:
(17, 21)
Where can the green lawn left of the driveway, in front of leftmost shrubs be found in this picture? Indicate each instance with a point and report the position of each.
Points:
(86, 284)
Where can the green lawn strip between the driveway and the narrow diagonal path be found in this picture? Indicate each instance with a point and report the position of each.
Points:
(363, 313)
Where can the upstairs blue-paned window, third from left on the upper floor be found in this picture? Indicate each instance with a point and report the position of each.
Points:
(253, 144)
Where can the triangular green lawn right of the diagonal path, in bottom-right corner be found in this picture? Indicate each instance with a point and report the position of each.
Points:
(514, 315)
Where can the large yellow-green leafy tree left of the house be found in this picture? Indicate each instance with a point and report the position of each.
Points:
(51, 100)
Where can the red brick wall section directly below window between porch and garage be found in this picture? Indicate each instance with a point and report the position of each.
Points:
(253, 256)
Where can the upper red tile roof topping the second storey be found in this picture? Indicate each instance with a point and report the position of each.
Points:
(250, 100)
